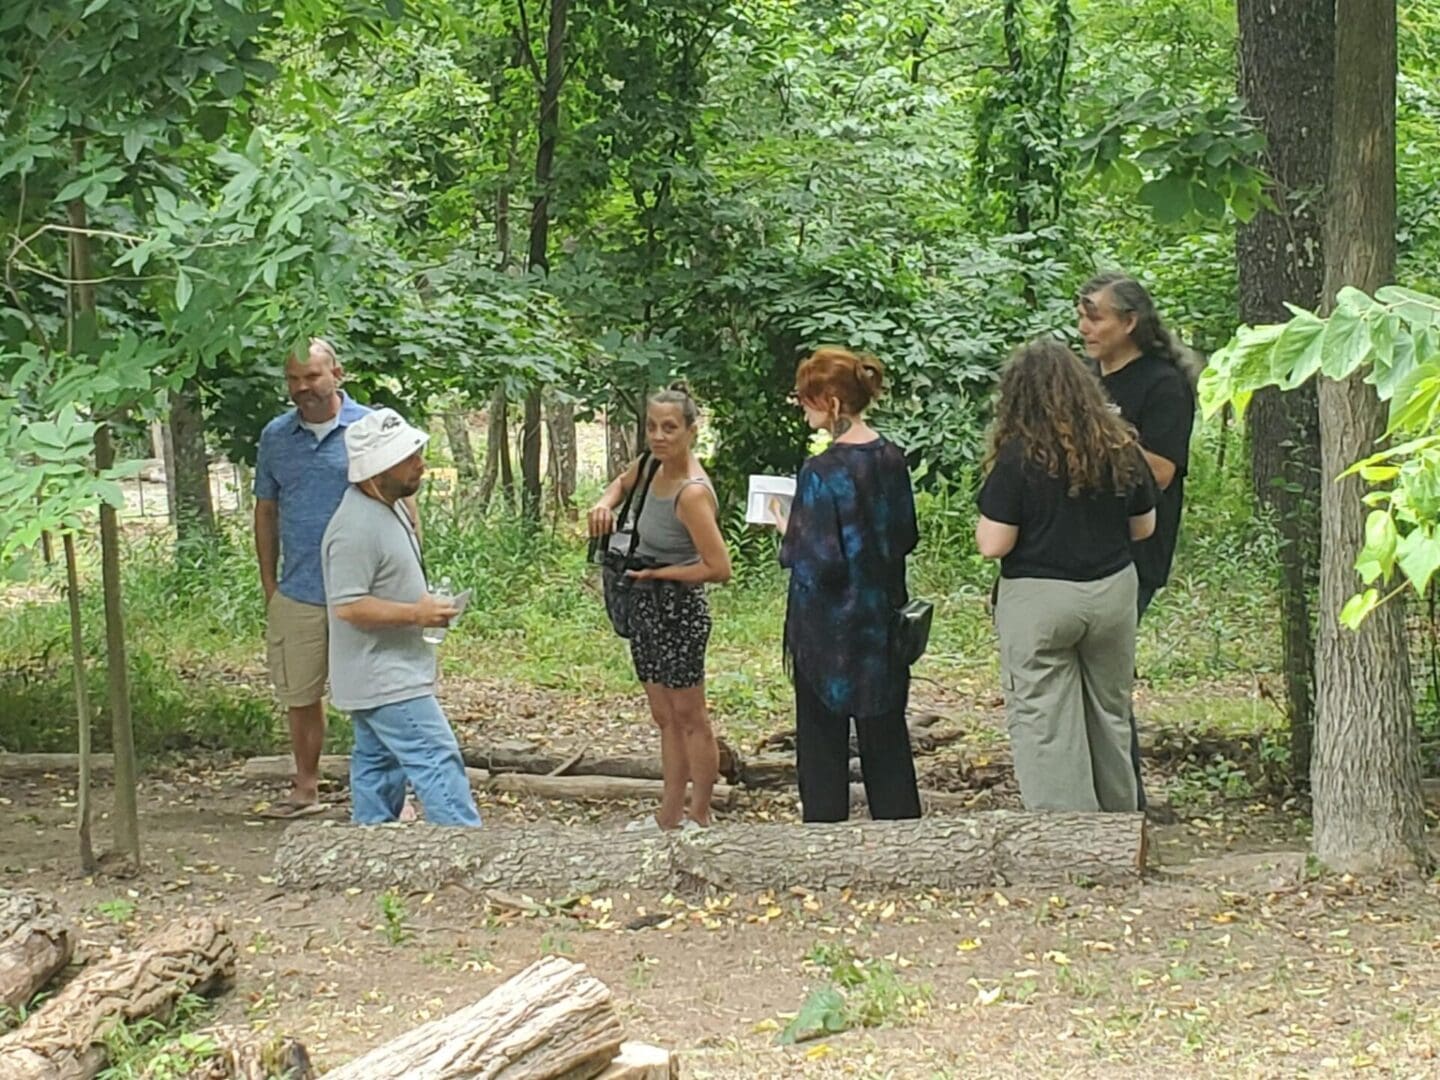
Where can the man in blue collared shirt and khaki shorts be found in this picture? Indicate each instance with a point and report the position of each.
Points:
(300, 479)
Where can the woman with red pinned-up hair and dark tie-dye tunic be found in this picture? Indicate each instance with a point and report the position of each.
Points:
(846, 544)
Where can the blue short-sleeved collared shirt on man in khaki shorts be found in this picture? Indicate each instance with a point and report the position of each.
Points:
(307, 477)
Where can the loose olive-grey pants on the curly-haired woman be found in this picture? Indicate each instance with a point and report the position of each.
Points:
(1068, 666)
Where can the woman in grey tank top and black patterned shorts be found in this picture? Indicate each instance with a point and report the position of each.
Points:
(683, 551)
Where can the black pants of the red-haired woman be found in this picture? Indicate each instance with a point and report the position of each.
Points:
(823, 760)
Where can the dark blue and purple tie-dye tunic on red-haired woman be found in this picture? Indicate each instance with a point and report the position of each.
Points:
(852, 528)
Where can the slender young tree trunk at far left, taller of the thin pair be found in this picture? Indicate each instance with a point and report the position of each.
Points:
(83, 335)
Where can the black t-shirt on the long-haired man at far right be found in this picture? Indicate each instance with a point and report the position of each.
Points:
(1157, 400)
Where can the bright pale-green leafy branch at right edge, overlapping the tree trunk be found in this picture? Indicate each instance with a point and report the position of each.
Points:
(1393, 342)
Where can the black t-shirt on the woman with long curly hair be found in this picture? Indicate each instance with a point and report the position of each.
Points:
(1081, 539)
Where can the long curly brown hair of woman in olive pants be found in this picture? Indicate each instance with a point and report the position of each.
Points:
(1056, 408)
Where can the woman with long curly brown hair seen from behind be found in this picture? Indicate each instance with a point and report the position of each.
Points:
(1066, 492)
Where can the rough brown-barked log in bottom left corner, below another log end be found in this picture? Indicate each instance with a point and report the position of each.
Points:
(66, 1038)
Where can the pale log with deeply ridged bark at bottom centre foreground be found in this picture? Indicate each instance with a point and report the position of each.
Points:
(552, 1020)
